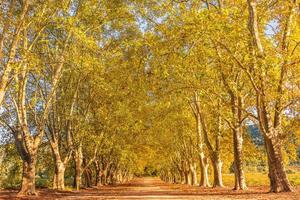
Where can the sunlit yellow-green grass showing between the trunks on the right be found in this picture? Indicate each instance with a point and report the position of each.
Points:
(259, 179)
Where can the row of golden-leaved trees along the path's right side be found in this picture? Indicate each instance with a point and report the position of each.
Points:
(236, 64)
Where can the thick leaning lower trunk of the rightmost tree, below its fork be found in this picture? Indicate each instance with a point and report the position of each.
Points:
(277, 175)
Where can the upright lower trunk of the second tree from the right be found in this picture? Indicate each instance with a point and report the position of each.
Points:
(240, 183)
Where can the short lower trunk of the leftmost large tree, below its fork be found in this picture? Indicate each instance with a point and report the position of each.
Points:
(28, 177)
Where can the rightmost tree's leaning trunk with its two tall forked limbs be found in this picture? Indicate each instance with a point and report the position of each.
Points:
(271, 127)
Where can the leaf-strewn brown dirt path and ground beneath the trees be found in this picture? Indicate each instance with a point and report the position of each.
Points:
(154, 188)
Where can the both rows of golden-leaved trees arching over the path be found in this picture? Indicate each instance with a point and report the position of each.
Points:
(101, 84)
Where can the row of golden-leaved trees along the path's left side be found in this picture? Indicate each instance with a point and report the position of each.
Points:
(63, 89)
